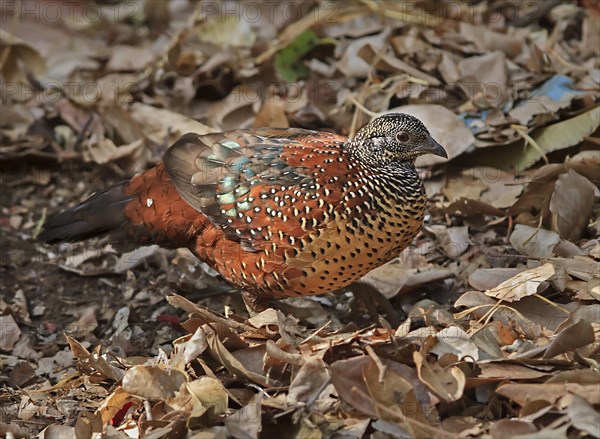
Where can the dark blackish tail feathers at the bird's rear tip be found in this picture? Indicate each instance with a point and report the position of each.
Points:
(101, 213)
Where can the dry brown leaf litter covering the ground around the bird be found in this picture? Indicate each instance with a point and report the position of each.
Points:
(486, 326)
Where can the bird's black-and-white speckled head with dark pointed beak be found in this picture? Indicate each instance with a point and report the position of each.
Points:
(394, 137)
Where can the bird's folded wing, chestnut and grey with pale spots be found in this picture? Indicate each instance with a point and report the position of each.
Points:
(262, 185)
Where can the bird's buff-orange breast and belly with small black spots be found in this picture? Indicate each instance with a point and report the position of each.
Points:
(356, 240)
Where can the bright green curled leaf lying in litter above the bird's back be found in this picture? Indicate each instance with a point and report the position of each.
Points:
(288, 62)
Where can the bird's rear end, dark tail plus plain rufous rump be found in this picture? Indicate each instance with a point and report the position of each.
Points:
(143, 211)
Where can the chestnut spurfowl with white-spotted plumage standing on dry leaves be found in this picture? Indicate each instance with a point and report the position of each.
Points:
(278, 212)
